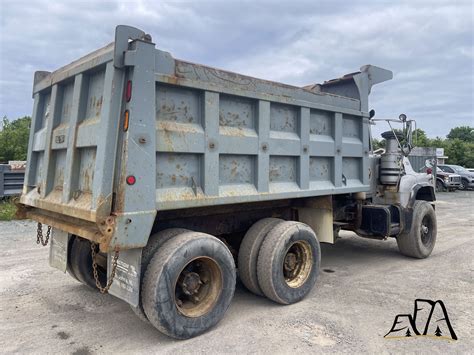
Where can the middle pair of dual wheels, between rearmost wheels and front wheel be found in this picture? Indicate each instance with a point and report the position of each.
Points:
(280, 260)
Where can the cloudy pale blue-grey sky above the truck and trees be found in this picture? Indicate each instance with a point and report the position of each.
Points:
(429, 46)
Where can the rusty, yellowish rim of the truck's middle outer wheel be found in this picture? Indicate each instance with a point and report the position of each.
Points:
(297, 264)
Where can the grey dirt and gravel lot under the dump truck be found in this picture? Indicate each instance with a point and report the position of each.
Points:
(366, 283)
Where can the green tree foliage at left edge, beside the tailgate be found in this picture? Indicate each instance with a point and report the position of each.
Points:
(14, 138)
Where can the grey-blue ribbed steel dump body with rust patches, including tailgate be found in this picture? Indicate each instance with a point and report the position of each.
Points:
(196, 136)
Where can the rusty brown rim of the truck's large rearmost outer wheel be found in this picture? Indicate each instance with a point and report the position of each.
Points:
(198, 287)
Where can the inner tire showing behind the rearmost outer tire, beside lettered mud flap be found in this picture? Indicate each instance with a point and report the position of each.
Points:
(154, 243)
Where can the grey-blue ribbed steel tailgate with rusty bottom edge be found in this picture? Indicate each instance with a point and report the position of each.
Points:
(73, 143)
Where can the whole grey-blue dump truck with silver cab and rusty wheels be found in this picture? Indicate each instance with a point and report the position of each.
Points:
(157, 180)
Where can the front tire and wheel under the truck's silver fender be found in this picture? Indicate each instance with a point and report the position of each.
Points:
(420, 240)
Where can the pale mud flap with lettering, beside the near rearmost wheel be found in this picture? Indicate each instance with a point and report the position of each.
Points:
(126, 285)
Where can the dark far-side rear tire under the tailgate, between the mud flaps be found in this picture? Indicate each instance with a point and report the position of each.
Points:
(81, 263)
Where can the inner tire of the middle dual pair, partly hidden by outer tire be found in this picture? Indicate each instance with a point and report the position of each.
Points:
(248, 253)
